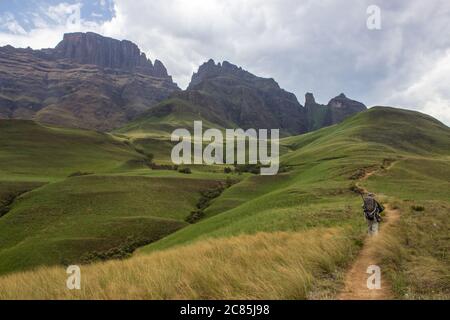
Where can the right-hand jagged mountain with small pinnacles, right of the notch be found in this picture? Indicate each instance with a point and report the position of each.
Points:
(229, 96)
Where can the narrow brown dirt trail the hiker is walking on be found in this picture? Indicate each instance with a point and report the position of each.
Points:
(355, 283)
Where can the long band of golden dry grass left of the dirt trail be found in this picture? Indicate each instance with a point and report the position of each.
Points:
(277, 265)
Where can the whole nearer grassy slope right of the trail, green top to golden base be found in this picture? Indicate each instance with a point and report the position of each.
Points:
(415, 256)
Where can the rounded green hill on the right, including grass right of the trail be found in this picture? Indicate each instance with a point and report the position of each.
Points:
(315, 193)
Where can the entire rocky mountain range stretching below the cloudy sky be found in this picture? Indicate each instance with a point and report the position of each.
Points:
(94, 82)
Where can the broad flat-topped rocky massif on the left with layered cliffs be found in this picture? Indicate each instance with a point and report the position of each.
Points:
(87, 81)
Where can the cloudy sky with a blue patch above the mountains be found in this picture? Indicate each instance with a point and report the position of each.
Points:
(324, 47)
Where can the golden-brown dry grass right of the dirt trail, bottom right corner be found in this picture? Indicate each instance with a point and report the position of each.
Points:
(414, 252)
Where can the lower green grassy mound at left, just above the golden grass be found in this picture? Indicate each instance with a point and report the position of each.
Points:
(62, 222)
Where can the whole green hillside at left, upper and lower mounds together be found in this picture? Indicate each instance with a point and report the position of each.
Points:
(65, 219)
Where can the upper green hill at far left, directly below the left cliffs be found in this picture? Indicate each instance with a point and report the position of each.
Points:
(30, 151)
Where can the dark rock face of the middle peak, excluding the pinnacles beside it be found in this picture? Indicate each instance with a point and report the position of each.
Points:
(246, 100)
